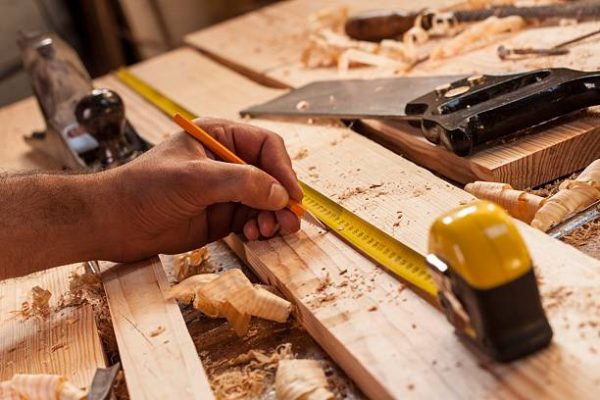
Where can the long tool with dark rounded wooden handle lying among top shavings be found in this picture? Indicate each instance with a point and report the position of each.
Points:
(388, 24)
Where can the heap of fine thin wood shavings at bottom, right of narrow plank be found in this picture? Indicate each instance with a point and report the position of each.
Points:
(248, 375)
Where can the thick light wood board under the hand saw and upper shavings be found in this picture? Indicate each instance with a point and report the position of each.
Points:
(267, 45)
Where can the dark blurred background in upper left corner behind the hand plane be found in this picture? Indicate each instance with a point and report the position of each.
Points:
(106, 33)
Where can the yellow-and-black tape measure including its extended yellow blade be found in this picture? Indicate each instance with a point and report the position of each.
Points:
(492, 301)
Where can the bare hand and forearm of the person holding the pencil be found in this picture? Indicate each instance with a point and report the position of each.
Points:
(174, 198)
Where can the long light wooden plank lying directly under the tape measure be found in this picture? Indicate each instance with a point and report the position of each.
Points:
(386, 338)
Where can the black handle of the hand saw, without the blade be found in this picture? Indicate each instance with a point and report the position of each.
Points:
(471, 111)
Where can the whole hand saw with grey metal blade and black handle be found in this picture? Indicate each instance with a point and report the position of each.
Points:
(458, 112)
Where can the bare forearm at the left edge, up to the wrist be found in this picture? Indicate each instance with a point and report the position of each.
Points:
(48, 220)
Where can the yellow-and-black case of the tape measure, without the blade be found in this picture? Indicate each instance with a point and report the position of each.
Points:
(487, 286)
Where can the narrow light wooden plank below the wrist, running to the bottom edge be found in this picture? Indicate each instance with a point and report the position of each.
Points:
(157, 352)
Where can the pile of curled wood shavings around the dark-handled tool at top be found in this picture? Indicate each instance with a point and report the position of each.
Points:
(329, 46)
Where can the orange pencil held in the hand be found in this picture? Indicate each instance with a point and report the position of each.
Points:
(227, 155)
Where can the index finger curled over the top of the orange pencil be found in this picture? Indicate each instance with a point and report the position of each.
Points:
(259, 147)
